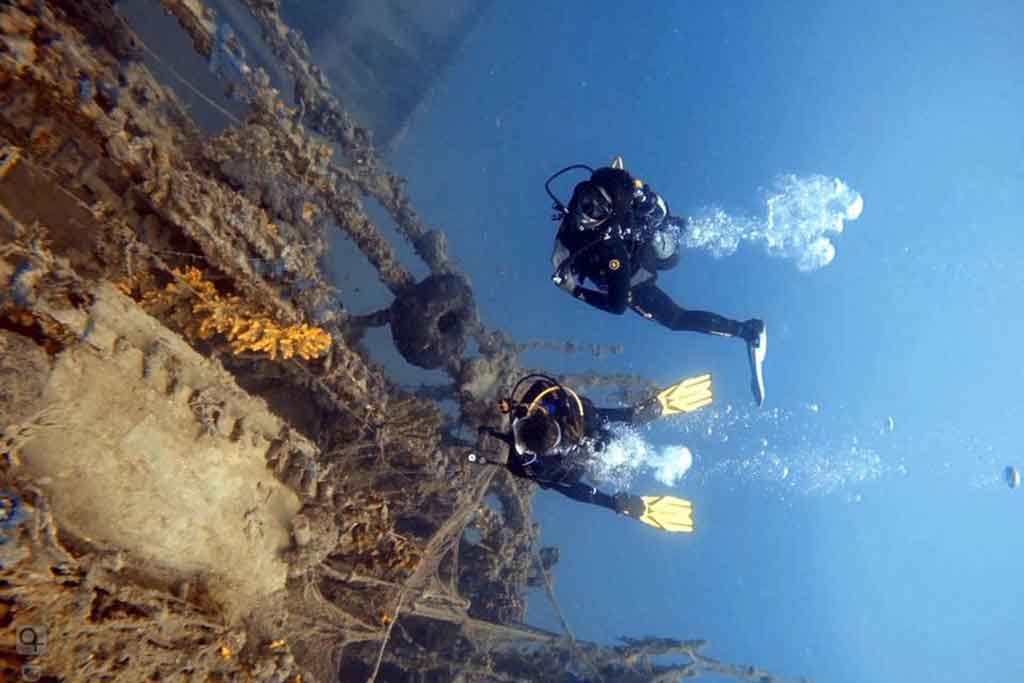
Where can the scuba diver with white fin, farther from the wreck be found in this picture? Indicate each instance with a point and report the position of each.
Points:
(619, 233)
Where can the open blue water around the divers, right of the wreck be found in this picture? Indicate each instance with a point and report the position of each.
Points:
(882, 556)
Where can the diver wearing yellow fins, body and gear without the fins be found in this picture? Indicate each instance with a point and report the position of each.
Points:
(554, 433)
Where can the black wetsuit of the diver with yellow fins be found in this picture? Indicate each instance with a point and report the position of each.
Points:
(563, 472)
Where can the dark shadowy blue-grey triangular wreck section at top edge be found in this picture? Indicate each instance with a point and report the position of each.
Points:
(383, 58)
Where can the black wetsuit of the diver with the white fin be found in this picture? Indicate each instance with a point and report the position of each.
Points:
(619, 259)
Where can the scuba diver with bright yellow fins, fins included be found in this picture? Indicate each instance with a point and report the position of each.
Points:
(554, 433)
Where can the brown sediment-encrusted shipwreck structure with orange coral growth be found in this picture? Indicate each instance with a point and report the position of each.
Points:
(312, 515)
